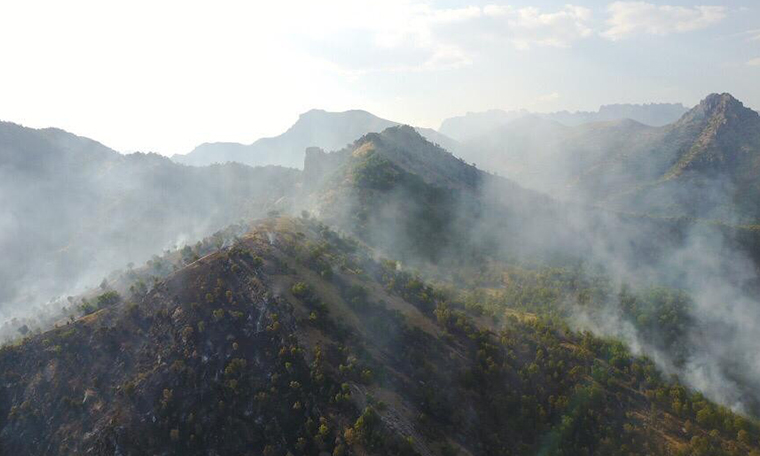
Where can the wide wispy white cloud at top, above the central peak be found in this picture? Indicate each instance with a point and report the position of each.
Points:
(419, 37)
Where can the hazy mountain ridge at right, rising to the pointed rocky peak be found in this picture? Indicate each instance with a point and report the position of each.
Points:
(704, 165)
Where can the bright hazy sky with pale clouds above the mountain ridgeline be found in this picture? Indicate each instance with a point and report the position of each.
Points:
(165, 76)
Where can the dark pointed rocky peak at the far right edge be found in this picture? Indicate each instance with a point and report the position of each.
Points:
(706, 165)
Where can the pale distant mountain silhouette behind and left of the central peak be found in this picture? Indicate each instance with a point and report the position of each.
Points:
(315, 128)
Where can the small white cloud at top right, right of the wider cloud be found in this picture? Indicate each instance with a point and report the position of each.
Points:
(632, 18)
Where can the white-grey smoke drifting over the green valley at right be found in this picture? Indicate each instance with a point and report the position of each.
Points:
(711, 262)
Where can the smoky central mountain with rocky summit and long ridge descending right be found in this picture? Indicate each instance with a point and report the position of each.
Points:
(412, 199)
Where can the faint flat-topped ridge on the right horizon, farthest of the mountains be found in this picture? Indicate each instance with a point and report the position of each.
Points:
(473, 125)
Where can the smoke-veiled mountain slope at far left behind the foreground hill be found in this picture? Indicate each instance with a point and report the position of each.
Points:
(73, 209)
